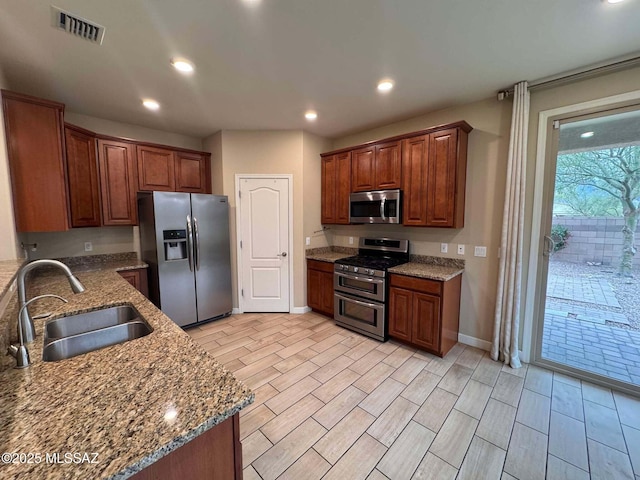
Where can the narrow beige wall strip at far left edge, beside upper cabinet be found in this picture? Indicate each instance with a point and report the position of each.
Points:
(9, 246)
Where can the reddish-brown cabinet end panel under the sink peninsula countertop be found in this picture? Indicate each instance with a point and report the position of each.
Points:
(214, 455)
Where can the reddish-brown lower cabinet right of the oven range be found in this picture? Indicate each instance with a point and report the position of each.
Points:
(425, 313)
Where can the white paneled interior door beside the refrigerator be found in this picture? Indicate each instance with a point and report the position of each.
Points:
(263, 205)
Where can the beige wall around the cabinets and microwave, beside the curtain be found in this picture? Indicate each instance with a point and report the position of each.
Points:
(486, 171)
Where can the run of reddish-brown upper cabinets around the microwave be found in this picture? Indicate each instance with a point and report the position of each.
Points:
(429, 166)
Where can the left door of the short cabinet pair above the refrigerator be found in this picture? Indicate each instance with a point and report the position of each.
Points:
(156, 168)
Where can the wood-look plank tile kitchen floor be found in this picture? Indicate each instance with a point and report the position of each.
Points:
(333, 404)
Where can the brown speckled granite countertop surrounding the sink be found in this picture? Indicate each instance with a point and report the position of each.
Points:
(129, 404)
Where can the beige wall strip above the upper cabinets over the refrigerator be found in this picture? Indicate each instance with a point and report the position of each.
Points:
(134, 132)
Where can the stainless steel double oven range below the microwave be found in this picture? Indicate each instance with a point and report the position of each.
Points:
(360, 285)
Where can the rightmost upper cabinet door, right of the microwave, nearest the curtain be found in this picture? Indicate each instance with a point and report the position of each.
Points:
(441, 184)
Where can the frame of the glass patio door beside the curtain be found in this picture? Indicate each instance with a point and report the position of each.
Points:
(533, 322)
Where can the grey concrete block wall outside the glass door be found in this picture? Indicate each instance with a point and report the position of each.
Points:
(594, 239)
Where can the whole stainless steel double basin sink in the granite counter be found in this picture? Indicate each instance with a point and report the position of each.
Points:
(74, 335)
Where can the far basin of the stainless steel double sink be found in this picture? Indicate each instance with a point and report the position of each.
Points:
(87, 322)
